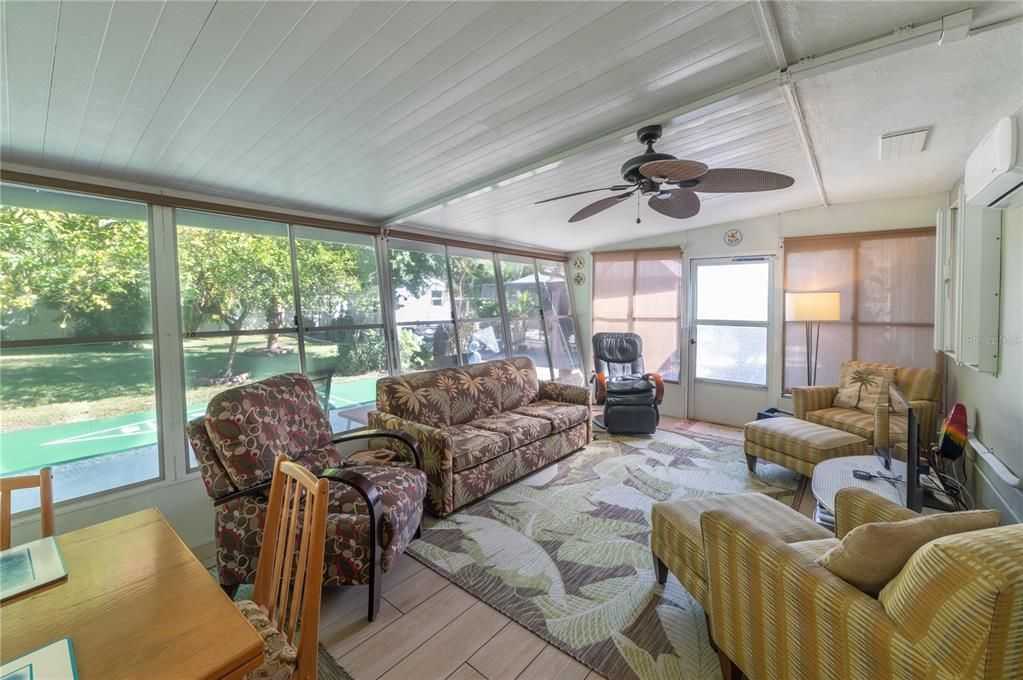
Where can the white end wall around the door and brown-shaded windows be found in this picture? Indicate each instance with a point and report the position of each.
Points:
(764, 237)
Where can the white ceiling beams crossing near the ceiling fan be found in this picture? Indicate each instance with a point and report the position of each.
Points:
(899, 40)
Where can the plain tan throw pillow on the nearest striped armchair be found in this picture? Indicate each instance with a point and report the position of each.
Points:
(873, 555)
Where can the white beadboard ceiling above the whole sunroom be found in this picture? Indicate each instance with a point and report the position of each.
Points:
(370, 110)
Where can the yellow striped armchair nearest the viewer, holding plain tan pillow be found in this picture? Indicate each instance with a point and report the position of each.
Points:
(955, 611)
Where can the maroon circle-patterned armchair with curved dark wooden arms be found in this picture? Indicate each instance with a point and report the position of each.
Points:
(375, 510)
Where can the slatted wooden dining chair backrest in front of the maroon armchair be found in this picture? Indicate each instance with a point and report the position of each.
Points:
(289, 577)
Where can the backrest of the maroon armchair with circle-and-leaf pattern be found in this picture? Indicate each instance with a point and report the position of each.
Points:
(252, 425)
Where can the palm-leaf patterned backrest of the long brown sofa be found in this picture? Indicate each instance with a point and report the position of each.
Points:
(457, 396)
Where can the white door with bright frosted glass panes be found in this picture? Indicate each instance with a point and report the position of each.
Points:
(729, 339)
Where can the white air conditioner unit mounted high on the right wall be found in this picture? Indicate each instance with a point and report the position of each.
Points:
(995, 171)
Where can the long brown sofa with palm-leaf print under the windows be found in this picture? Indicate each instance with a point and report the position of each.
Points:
(482, 427)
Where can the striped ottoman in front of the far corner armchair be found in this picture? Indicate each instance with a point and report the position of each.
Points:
(798, 445)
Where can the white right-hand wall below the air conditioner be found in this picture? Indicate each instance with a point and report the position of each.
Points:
(995, 403)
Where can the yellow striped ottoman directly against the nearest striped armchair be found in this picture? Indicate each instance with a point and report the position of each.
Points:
(677, 539)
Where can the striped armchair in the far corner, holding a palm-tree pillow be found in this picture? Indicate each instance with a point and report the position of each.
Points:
(920, 386)
